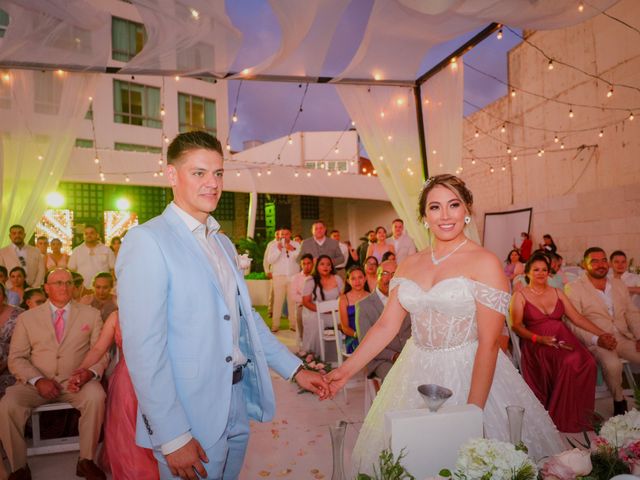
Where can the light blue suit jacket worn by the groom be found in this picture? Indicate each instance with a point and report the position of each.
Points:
(177, 336)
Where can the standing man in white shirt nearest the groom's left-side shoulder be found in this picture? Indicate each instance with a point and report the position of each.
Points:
(91, 257)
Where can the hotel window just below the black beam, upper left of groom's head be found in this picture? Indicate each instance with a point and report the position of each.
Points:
(136, 104)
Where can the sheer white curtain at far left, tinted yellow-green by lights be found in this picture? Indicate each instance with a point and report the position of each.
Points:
(40, 113)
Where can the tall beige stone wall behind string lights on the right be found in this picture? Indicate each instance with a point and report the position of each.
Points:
(589, 192)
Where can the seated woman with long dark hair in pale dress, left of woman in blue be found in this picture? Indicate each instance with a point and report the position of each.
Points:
(323, 285)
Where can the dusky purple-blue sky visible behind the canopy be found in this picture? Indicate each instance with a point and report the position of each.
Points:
(266, 110)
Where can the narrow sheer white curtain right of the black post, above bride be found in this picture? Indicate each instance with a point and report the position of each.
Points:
(442, 105)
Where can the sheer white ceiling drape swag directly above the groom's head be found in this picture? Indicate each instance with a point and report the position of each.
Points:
(190, 37)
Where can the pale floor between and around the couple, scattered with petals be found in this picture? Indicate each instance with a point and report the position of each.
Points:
(295, 445)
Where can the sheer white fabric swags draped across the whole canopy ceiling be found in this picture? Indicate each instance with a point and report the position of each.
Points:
(196, 36)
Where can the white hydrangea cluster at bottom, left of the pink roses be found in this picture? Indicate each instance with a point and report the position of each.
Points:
(484, 459)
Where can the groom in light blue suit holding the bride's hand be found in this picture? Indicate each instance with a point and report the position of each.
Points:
(198, 354)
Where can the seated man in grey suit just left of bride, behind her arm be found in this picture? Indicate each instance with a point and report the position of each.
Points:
(369, 310)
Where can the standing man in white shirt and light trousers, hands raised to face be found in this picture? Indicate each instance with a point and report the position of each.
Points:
(281, 255)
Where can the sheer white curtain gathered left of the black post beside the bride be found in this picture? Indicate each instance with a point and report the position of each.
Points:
(386, 122)
